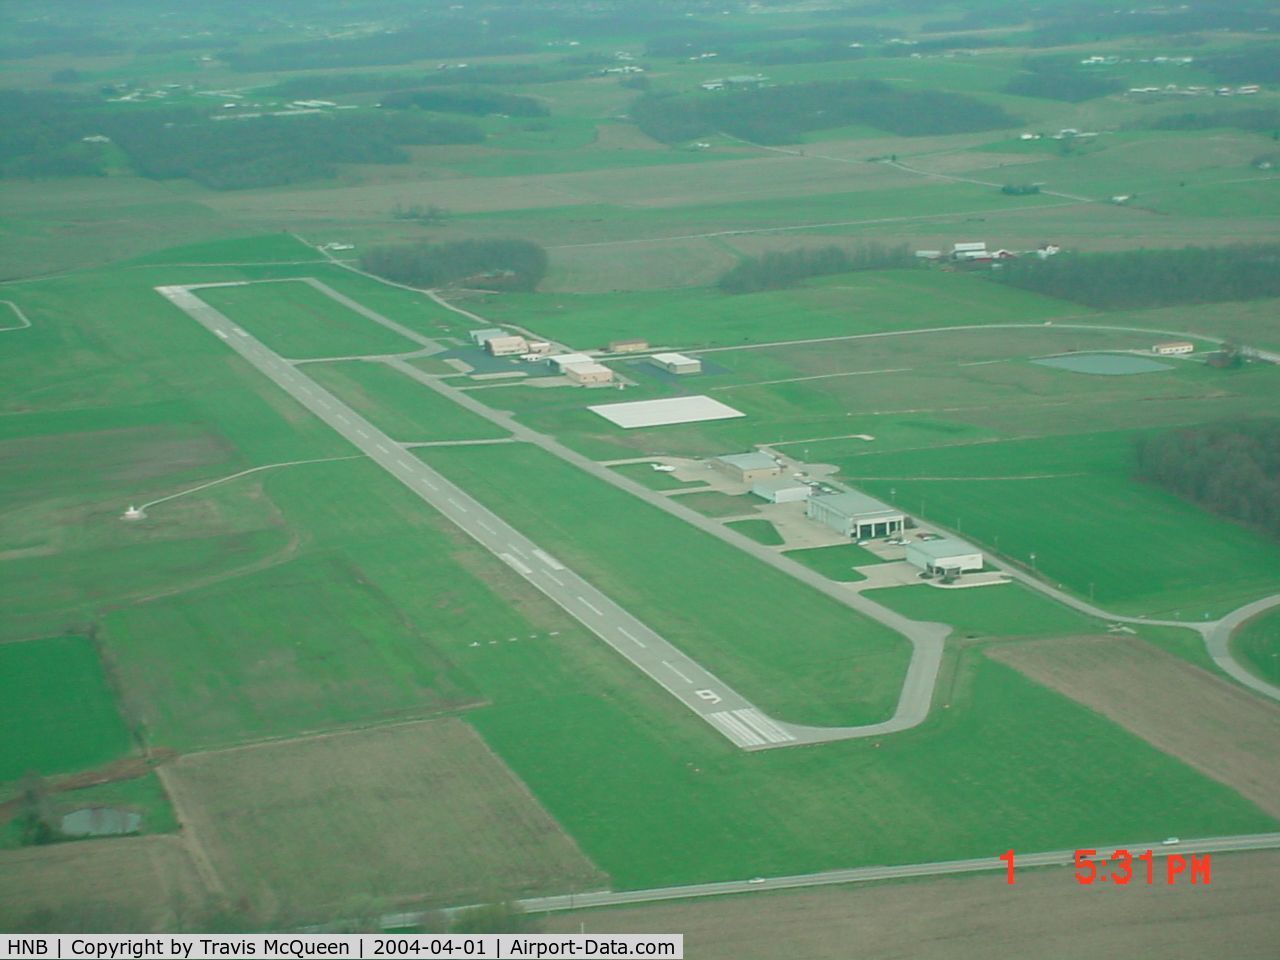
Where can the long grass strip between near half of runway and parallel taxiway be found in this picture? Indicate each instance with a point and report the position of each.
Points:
(797, 653)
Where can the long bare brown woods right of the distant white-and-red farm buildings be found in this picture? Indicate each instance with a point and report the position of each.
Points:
(1151, 278)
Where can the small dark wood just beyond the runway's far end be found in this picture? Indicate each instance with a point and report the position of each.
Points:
(493, 264)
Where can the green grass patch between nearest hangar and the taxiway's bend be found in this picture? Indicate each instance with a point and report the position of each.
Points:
(1008, 610)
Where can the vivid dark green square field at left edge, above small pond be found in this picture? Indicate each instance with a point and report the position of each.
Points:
(57, 711)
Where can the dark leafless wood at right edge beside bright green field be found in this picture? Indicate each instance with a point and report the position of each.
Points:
(1232, 469)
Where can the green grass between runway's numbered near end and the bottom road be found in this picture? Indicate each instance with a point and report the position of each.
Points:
(1012, 765)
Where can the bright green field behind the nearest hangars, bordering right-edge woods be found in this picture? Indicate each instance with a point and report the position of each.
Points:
(1105, 532)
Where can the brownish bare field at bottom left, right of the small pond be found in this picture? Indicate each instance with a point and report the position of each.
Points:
(419, 811)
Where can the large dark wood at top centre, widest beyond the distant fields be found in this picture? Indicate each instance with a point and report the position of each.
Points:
(783, 115)
